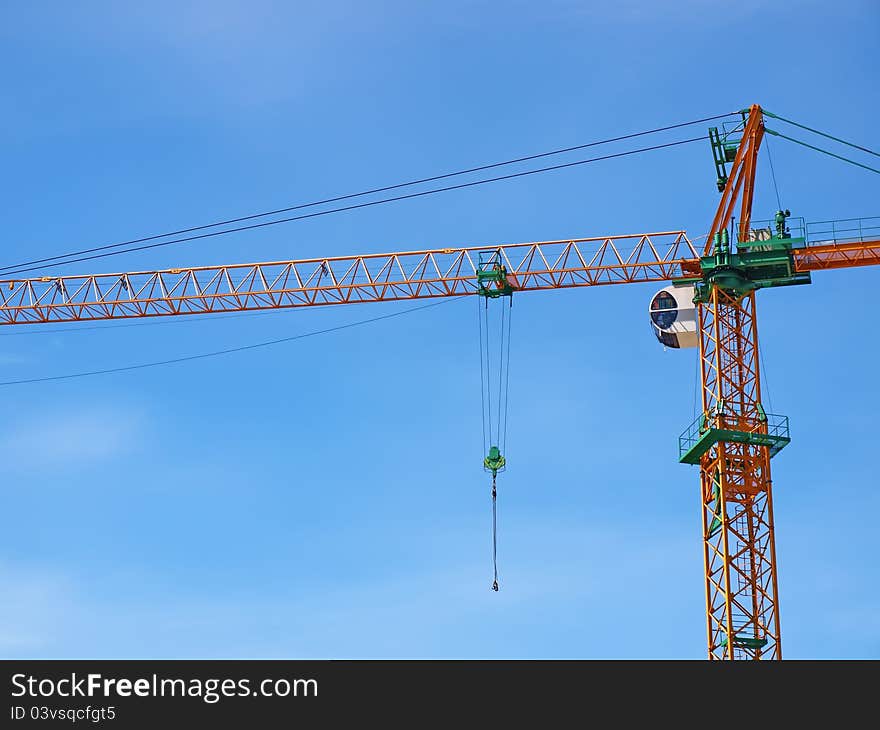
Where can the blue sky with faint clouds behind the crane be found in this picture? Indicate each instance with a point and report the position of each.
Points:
(325, 498)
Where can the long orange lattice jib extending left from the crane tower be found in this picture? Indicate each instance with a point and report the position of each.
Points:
(345, 280)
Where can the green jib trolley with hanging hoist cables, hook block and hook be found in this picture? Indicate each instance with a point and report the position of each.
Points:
(492, 284)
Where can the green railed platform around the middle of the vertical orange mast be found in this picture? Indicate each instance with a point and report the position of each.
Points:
(766, 429)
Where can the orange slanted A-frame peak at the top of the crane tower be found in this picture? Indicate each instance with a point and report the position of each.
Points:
(741, 180)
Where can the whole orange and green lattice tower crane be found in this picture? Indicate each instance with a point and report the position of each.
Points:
(709, 303)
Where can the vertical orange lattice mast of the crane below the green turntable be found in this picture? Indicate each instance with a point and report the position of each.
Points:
(737, 506)
